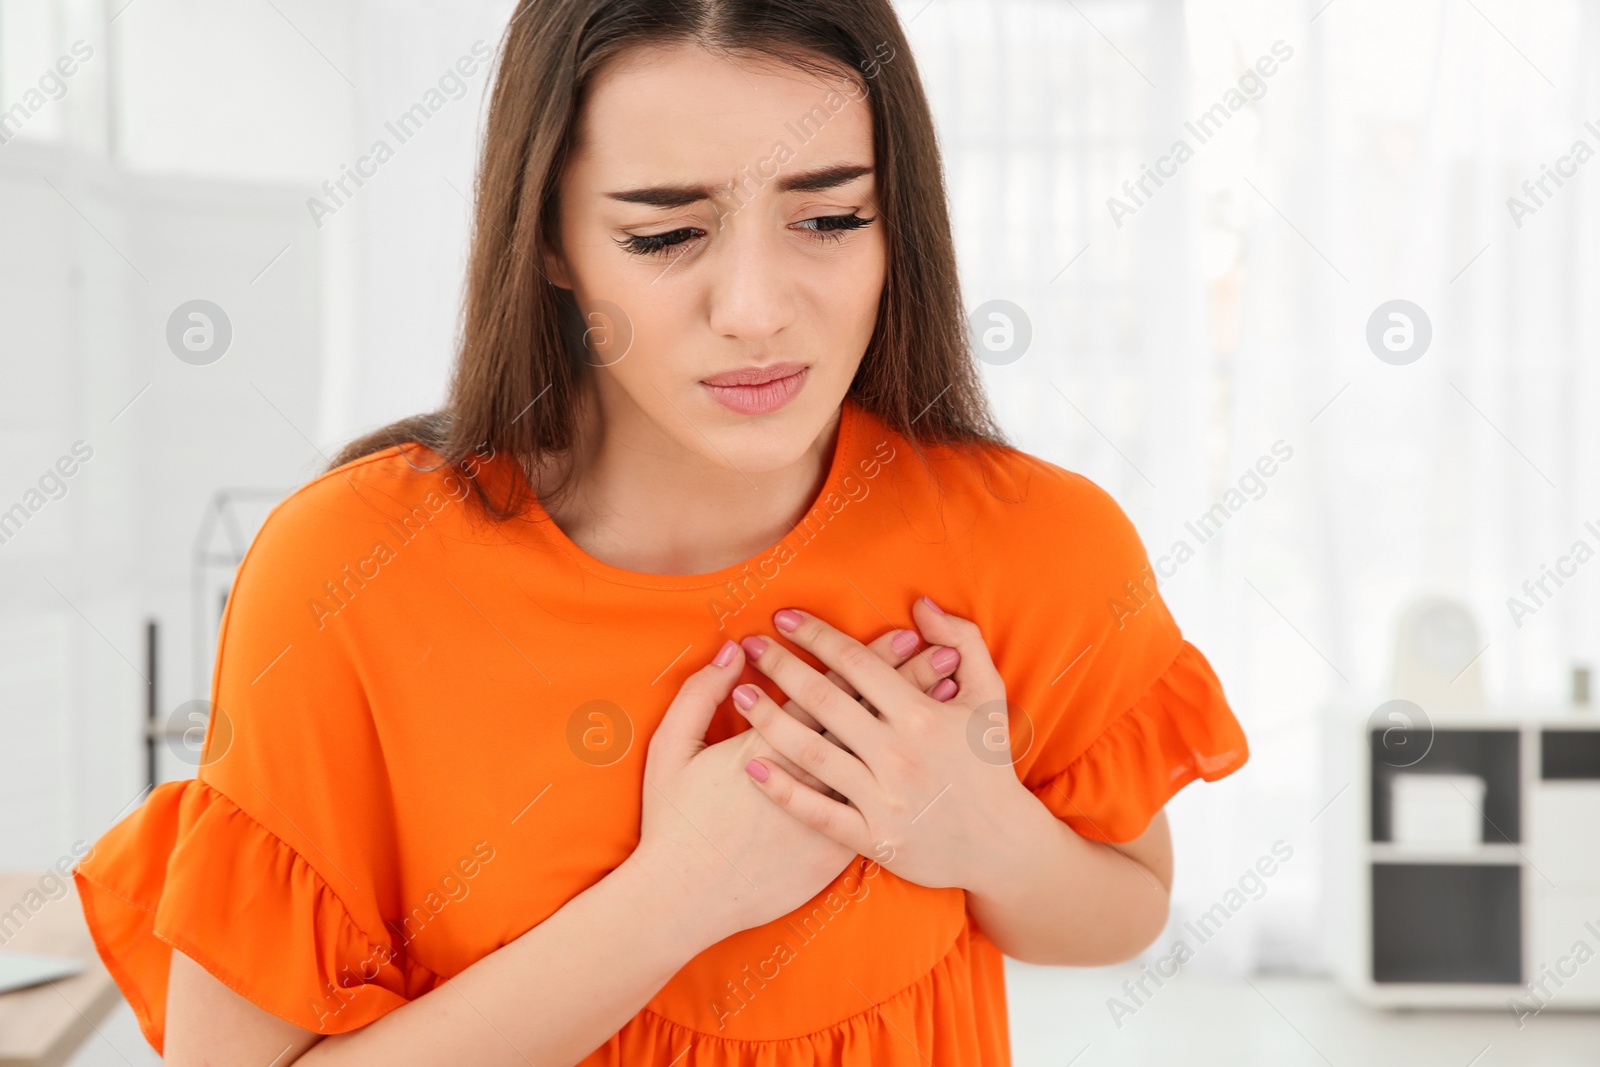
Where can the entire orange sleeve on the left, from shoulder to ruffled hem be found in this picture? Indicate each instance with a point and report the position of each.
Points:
(276, 866)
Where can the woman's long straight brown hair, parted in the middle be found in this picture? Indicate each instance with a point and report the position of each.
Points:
(519, 369)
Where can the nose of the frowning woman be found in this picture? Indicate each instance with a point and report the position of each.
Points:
(751, 281)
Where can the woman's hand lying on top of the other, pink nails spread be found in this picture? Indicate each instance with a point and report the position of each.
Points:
(929, 796)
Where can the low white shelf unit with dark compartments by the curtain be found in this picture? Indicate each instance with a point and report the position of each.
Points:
(1516, 919)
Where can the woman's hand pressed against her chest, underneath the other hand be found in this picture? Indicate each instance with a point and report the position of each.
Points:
(710, 833)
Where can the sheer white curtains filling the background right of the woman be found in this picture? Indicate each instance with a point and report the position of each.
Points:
(1226, 316)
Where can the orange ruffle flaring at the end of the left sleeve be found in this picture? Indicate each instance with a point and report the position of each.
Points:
(191, 871)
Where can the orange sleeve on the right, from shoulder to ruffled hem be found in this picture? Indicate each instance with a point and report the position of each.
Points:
(1122, 711)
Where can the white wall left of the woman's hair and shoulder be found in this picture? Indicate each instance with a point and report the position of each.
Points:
(180, 164)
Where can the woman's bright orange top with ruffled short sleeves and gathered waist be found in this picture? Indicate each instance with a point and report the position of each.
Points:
(431, 730)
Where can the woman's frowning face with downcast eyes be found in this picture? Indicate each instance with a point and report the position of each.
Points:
(714, 233)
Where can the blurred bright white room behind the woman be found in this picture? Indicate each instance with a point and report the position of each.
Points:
(1300, 282)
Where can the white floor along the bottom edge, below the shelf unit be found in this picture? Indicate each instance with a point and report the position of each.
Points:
(1060, 1020)
